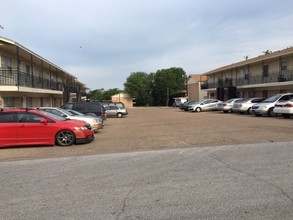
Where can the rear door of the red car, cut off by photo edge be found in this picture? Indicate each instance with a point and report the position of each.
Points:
(7, 129)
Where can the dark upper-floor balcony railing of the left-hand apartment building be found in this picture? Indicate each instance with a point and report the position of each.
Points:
(10, 77)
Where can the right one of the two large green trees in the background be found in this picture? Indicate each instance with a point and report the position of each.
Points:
(168, 83)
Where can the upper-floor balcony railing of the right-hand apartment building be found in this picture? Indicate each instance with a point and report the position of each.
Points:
(273, 77)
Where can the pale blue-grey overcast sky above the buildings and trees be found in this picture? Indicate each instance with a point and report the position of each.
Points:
(102, 42)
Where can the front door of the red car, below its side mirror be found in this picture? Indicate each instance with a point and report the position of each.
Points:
(31, 131)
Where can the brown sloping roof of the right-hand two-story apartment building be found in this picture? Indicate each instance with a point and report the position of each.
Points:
(260, 58)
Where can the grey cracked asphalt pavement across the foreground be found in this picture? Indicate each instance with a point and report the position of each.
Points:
(250, 181)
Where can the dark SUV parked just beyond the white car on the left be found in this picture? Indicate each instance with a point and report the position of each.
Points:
(87, 108)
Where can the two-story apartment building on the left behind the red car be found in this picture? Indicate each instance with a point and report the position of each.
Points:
(28, 80)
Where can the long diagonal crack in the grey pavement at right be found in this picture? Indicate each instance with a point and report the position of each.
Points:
(213, 155)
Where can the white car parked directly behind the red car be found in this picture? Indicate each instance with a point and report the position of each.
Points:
(95, 122)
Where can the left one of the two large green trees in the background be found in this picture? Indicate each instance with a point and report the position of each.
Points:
(138, 85)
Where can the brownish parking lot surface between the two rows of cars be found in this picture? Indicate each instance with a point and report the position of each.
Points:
(166, 128)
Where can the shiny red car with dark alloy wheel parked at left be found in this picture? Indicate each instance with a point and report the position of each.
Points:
(20, 127)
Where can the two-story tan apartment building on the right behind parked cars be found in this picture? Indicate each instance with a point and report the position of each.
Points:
(261, 76)
